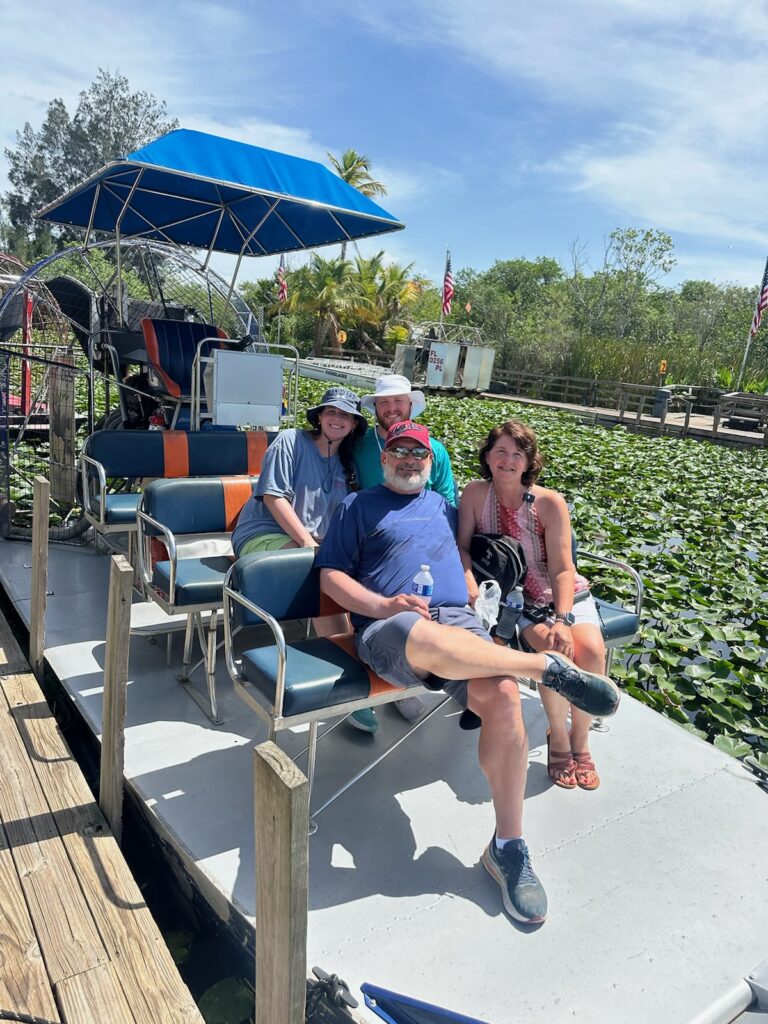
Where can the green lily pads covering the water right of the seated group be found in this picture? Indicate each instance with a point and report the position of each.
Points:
(693, 519)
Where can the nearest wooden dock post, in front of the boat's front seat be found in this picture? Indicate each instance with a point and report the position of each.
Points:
(282, 815)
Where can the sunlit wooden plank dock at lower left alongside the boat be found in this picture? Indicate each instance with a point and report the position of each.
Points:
(79, 945)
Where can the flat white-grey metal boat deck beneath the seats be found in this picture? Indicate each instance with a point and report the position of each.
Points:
(658, 882)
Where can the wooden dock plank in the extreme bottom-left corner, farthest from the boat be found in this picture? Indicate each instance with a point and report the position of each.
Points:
(24, 983)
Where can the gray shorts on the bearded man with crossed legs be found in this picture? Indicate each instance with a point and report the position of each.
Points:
(381, 646)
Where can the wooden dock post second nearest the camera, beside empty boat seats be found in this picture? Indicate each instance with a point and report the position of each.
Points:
(116, 679)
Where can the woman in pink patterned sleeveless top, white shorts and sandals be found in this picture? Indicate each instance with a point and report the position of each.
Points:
(560, 613)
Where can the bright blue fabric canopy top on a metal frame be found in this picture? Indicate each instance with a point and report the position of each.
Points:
(216, 194)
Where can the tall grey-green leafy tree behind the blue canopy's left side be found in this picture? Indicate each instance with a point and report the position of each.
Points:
(110, 121)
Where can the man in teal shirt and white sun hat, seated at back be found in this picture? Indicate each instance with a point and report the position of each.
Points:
(393, 402)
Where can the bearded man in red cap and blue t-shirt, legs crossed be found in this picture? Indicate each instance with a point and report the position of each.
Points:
(376, 543)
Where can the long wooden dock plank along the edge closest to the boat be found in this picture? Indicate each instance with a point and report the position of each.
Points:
(143, 964)
